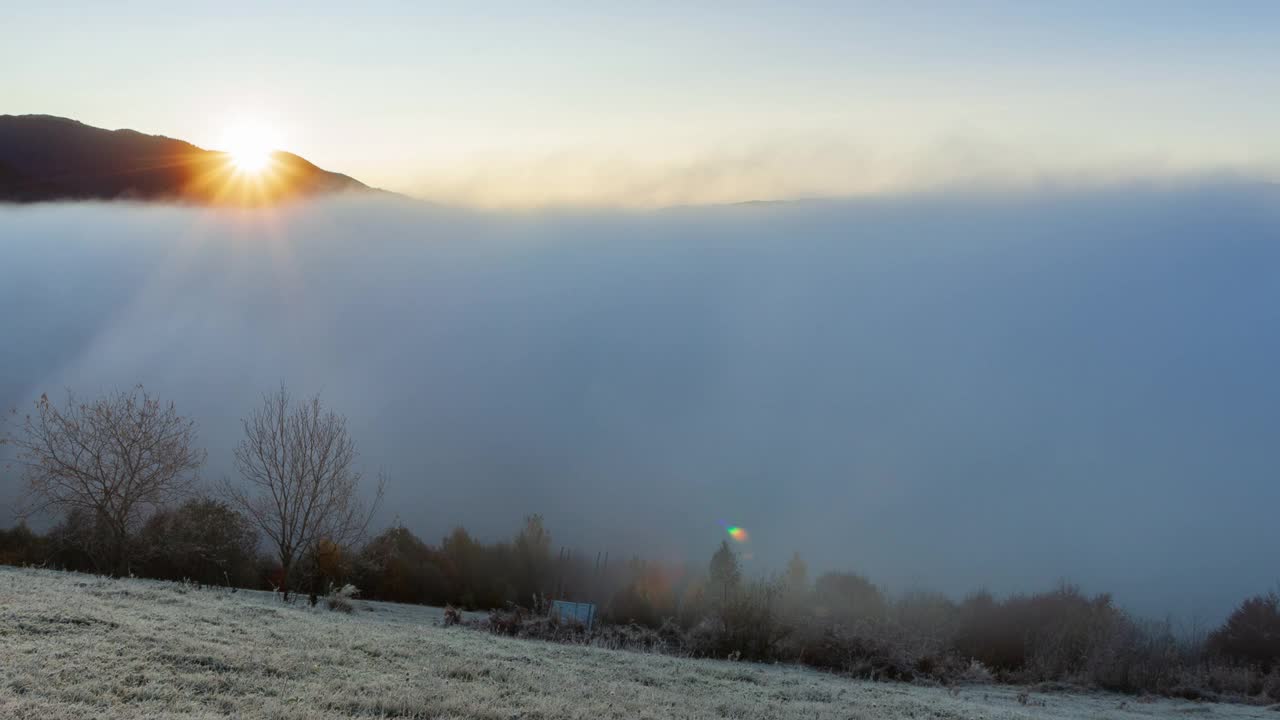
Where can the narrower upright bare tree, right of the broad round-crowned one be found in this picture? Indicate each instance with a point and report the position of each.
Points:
(300, 487)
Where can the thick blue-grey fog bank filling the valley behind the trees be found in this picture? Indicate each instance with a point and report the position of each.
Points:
(944, 391)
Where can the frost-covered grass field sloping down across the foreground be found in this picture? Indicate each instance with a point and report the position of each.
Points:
(80, 646)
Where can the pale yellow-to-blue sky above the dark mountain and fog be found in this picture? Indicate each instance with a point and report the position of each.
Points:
(614, 104)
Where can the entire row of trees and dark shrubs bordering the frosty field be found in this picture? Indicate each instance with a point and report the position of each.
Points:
(121, 476)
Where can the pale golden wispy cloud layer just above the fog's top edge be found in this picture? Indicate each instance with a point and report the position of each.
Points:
(804, 166)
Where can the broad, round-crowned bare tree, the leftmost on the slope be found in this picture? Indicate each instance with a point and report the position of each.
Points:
(115, 461)
